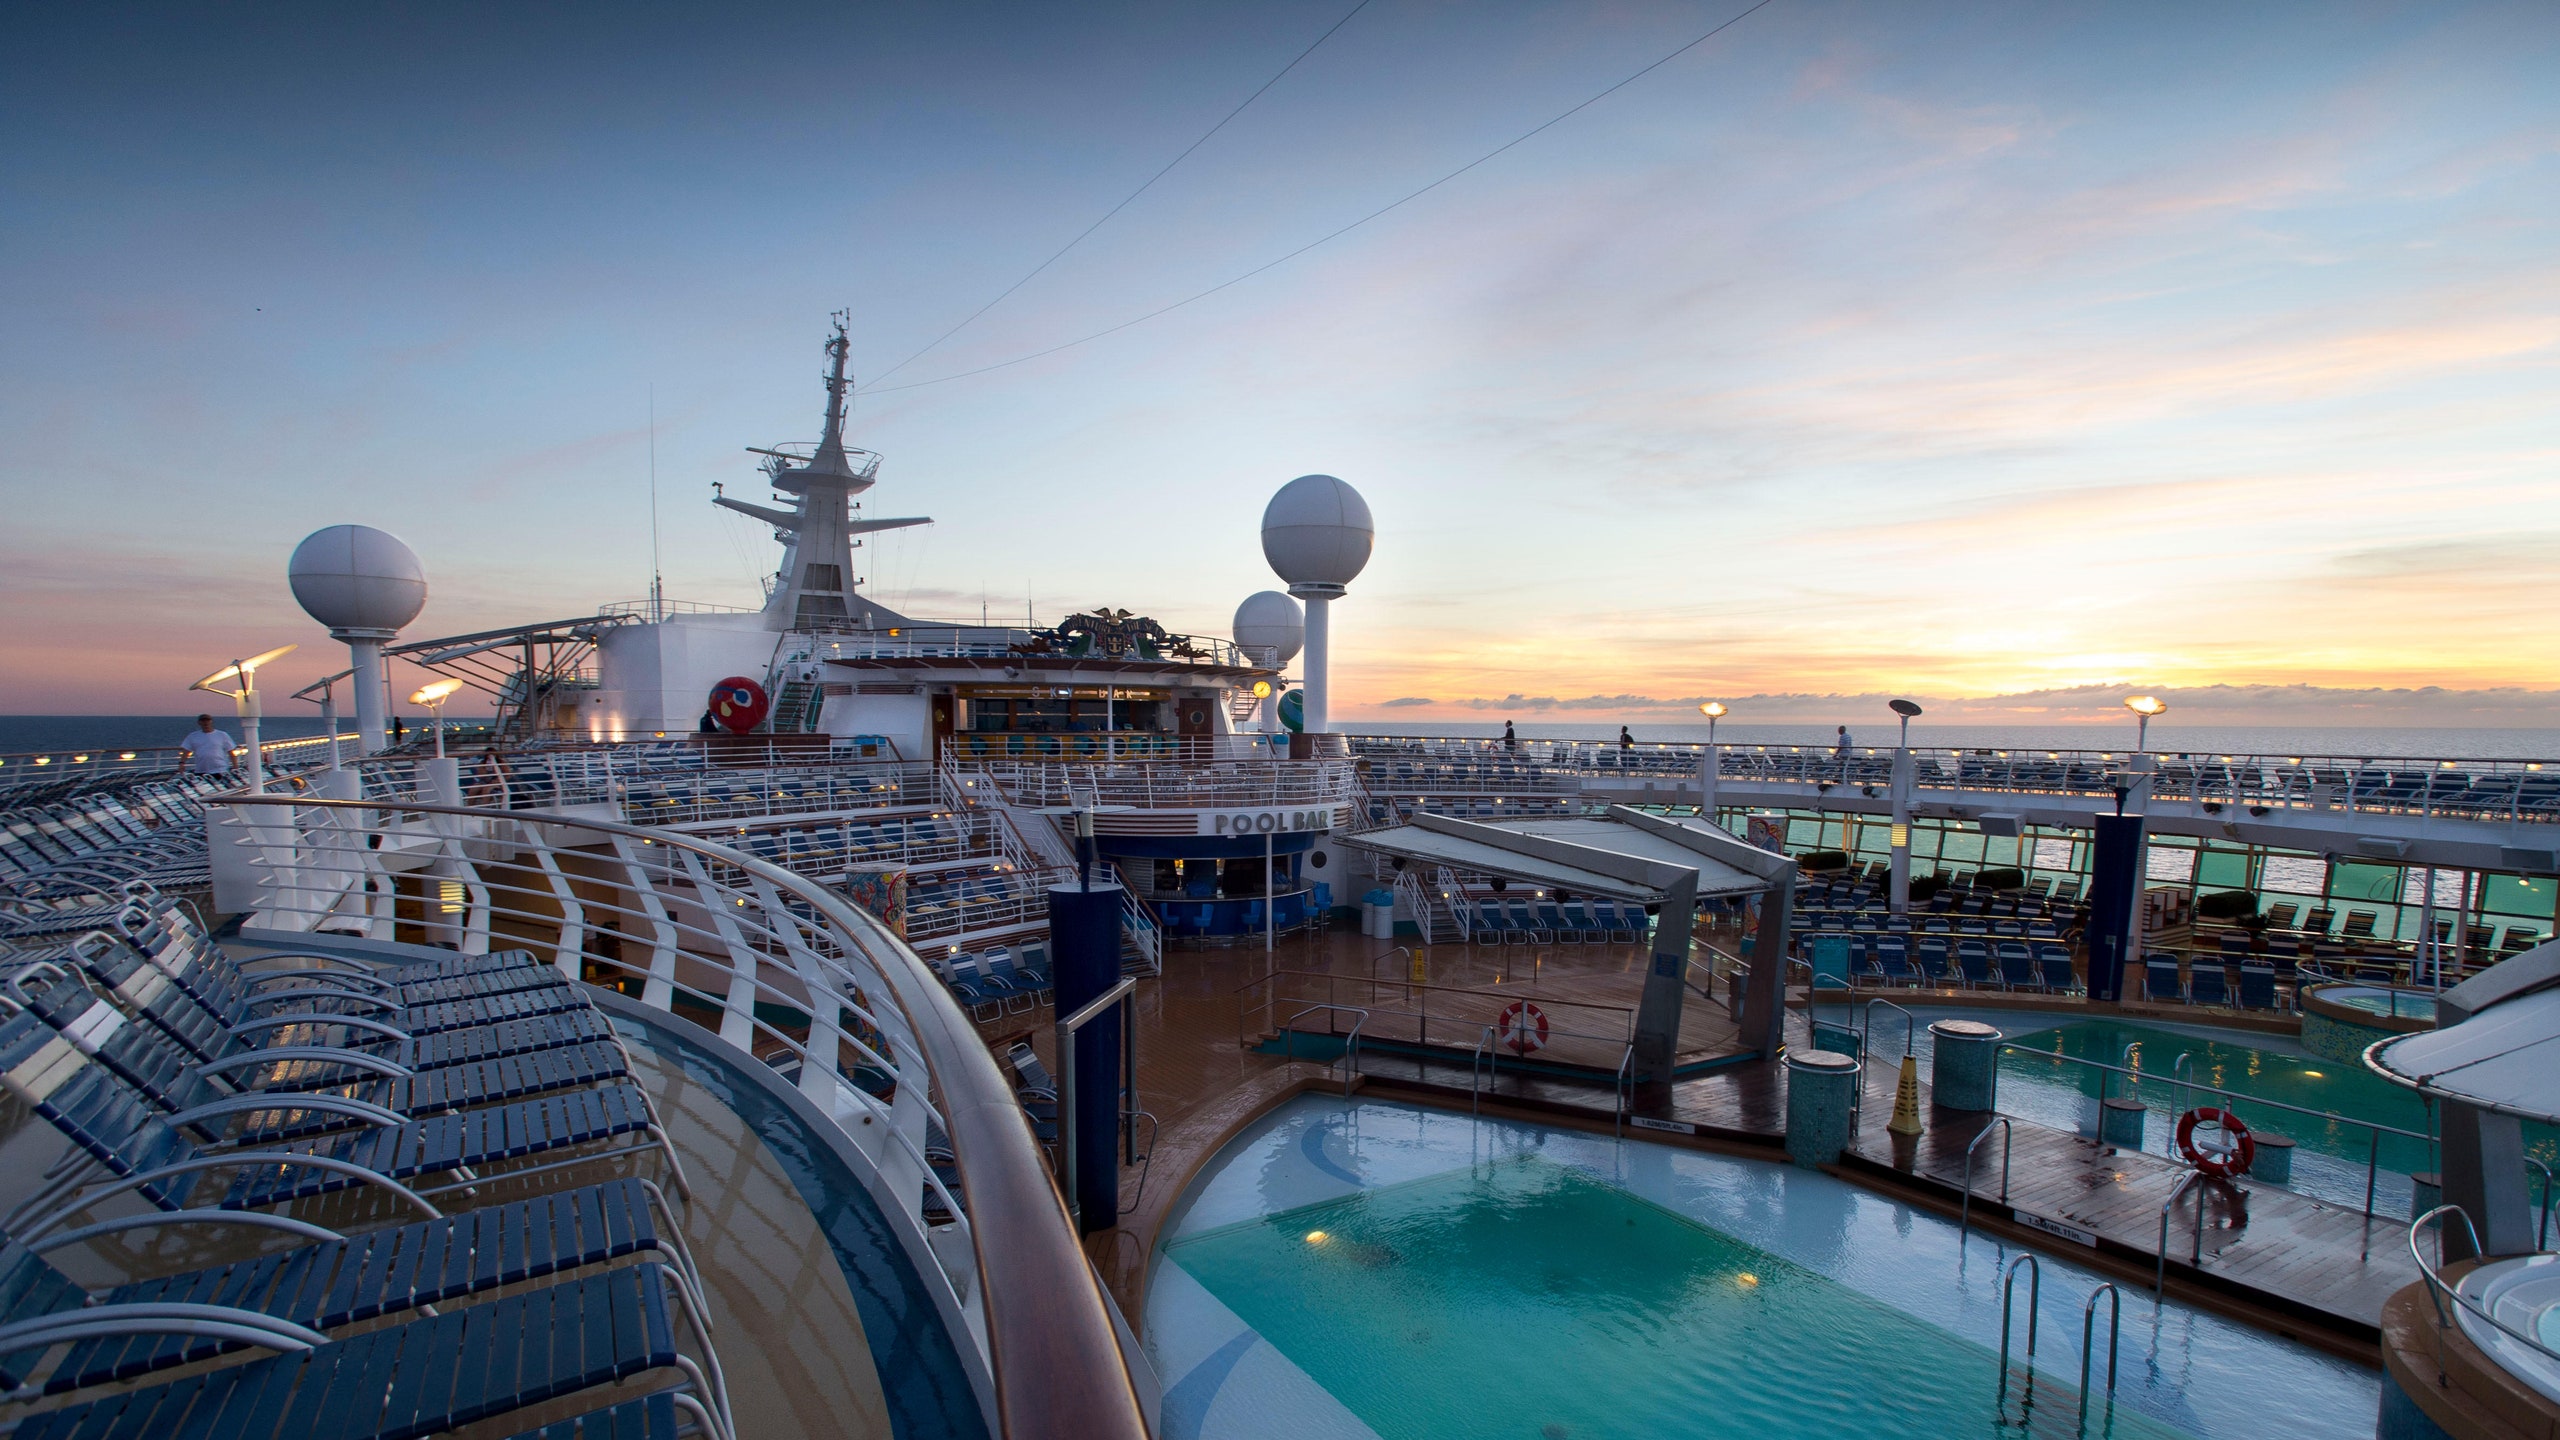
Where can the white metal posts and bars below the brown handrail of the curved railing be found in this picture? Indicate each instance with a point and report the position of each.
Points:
(785, 972)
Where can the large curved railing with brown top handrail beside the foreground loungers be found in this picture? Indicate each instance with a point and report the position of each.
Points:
(790, 975)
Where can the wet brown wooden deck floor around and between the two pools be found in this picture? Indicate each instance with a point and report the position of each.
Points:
(2272, 1254)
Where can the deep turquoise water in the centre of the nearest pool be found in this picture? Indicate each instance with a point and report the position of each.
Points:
(1524, 1298)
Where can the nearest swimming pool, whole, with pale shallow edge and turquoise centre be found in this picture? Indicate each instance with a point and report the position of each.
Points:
(1358, 1270)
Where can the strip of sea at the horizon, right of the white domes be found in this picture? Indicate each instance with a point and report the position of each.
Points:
(2164, 739)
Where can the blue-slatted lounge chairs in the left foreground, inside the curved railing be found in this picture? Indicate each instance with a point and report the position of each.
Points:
(516, 1257)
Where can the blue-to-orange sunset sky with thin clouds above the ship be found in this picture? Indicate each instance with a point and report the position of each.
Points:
(1996, 355)
